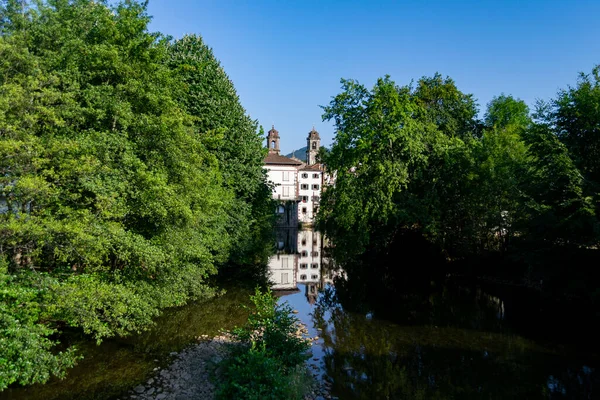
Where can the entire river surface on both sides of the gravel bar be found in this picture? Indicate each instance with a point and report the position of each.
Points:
(380, 335)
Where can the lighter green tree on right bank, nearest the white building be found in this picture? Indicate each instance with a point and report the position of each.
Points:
(377, 147)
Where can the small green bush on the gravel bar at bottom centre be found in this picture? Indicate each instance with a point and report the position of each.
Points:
(268, 360)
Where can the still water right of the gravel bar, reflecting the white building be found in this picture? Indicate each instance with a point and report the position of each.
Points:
(428, 340)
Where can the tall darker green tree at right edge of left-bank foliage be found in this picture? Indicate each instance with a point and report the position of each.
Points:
(220, 120)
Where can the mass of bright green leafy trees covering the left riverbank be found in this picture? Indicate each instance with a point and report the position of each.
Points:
(130, 174)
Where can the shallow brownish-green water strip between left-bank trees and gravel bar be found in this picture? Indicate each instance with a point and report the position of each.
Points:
(115, 366)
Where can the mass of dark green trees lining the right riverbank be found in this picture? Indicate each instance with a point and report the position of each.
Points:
(416, 160)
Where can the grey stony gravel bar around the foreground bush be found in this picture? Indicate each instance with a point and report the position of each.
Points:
(189, 375)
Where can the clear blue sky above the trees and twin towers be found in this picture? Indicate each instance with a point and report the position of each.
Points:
(287, 57)
